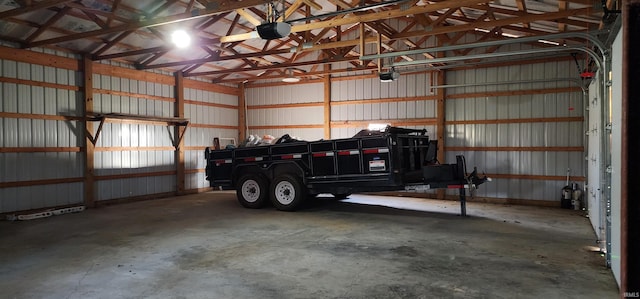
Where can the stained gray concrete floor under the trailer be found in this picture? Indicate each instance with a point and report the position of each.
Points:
(208, 246)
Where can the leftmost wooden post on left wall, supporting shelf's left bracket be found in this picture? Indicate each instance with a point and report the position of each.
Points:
(89, 148)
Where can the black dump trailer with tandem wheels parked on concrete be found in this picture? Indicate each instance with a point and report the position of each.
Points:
(288, 172)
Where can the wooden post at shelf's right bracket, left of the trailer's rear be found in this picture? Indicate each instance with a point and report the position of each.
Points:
(178, 131)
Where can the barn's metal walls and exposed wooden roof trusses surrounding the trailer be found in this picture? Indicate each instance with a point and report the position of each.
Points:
(99, 107)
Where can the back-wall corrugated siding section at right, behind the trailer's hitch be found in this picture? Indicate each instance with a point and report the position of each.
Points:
(510, 108)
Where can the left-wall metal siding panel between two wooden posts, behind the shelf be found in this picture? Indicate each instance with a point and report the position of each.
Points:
(128, 149)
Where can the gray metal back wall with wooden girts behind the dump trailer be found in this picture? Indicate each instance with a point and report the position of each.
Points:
(527, 134)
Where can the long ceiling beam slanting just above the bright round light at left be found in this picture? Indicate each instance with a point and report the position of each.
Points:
(224, 5)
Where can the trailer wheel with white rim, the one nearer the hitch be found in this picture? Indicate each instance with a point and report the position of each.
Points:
(287, 192)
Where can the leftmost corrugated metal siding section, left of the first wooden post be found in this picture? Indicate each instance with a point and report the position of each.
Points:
(24, 132)
